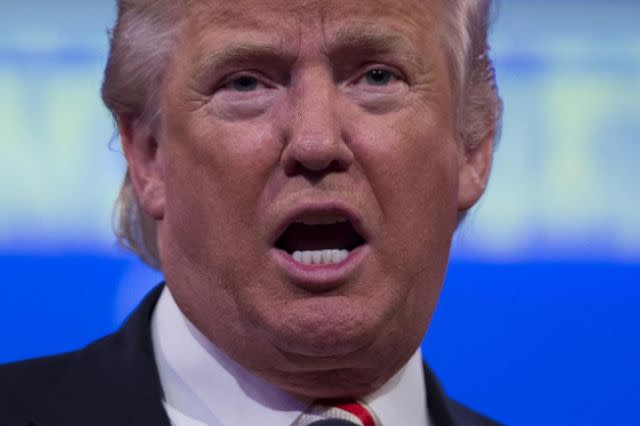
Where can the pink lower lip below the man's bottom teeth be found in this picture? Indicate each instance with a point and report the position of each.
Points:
(320, 277)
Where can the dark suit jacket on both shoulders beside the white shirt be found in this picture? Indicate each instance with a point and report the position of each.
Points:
(114, 382)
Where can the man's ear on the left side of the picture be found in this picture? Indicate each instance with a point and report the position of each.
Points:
(144, 160)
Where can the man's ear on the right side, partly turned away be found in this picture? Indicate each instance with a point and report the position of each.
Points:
(473, 173)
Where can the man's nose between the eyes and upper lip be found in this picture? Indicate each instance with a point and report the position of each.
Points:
(316, 142)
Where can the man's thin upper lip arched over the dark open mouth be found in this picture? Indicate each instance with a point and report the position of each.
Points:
(329, 208)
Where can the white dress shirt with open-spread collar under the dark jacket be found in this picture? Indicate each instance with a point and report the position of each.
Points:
(203, 386)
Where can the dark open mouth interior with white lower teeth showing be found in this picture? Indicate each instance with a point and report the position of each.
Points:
(320, 238)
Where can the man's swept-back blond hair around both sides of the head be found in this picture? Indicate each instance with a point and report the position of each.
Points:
(145, 36)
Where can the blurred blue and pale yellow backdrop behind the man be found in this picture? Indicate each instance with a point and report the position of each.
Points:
(539, 321)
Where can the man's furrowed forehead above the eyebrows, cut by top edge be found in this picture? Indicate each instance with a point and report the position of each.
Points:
(293, 18)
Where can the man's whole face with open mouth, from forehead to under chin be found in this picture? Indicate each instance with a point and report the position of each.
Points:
(299, 127)
